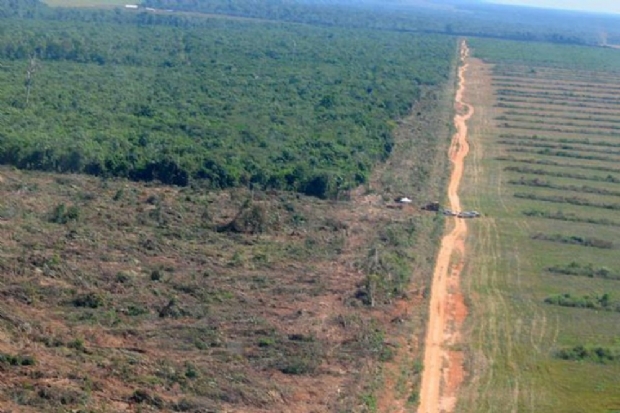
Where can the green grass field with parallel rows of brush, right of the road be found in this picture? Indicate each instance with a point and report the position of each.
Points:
(543, 171)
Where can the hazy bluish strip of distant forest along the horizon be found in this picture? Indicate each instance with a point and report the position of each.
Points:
(463, 18)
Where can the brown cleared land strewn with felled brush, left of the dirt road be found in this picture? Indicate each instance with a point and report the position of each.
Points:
(118, 295)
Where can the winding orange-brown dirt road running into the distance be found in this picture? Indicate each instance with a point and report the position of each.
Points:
(443, 365)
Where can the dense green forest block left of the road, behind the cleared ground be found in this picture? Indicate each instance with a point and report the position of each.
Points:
(228, 102)
